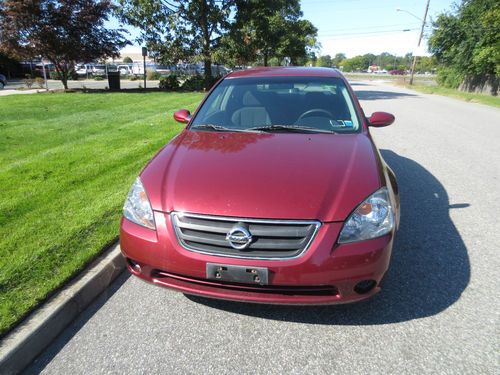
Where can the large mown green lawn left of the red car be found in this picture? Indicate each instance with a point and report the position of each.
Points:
(67, 161)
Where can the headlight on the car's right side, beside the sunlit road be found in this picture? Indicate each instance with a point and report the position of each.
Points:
(373, 218)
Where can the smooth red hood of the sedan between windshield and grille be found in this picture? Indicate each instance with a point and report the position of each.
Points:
(262, 175)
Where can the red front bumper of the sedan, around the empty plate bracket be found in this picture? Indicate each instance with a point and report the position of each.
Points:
(327, 273)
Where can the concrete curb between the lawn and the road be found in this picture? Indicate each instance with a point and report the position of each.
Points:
(26, 342)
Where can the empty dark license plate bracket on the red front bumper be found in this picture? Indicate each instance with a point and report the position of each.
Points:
(238, 274)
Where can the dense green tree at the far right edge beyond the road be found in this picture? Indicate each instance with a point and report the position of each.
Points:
(466, 42)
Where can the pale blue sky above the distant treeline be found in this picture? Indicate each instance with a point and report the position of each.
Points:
(356, 27)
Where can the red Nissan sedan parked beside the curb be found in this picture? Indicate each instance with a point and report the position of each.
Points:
(273, 193)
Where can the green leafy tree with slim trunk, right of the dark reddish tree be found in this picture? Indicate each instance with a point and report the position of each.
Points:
(174, 30)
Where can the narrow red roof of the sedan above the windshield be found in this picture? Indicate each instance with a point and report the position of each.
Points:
(285, 71)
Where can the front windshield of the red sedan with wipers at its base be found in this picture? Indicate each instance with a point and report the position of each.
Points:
(279, 104)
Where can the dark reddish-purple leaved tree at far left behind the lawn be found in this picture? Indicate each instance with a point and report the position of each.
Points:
(63, 32)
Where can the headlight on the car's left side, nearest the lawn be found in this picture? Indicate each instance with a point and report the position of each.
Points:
(137, 207)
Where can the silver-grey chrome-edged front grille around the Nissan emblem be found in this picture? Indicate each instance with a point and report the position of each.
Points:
(271, 239)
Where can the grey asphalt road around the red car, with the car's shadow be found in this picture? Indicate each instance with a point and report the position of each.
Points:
(438, 313)
